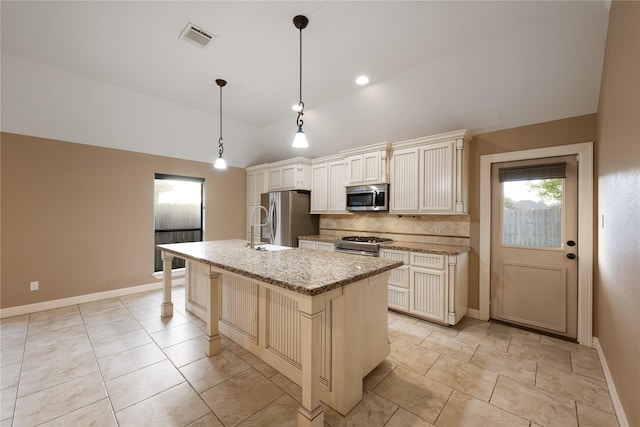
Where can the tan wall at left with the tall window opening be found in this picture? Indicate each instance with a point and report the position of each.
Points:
(79, 218)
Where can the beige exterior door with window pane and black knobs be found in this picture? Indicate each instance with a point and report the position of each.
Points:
(534, 229)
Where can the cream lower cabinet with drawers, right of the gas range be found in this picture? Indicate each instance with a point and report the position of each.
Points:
(429, 286)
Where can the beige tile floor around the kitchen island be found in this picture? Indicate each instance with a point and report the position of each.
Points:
(116, 362)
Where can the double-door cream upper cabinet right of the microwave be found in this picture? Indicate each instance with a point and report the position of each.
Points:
(430, 175)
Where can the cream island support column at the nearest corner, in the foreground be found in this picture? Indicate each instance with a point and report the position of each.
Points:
(311, 414)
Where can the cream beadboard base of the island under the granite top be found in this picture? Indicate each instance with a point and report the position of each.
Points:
(353, 331)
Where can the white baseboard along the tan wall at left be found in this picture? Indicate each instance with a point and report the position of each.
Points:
(81, 299)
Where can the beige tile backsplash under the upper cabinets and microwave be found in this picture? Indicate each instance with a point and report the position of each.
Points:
(442, 229)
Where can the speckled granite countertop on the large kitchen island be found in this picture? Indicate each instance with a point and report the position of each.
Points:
(305, 271)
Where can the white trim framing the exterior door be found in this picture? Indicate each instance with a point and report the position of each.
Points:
(584, 151)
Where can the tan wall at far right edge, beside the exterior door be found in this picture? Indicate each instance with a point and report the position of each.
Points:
(617, 278)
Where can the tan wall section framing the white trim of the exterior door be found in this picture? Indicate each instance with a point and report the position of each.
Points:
(549, 134)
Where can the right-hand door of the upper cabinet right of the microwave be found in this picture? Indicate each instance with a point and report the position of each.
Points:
(437, 172)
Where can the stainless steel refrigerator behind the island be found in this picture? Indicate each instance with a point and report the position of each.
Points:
(288, 217)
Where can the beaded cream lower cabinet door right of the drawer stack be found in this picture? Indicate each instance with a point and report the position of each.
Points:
(429, 296)
